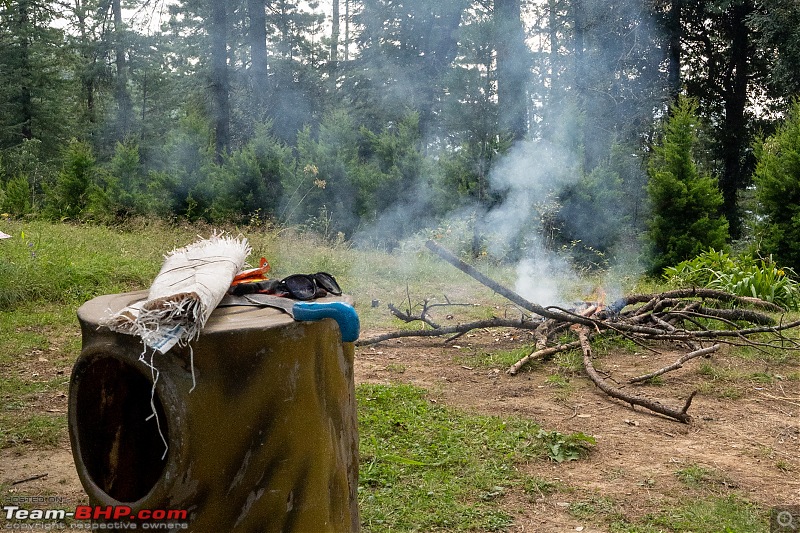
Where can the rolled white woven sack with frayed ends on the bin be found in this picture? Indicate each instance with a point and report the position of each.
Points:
(192, 282)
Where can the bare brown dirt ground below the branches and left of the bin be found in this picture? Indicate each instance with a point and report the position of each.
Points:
(745, 435)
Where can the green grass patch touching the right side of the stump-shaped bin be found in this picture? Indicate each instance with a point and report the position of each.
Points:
(426, 467)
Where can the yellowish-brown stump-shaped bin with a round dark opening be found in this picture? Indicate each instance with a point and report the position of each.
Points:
(265, 441)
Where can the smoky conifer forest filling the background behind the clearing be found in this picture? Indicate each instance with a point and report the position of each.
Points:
(637, 130)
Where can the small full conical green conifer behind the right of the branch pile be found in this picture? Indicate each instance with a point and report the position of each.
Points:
(685, 200)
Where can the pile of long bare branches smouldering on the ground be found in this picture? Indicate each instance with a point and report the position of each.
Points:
(701, 319)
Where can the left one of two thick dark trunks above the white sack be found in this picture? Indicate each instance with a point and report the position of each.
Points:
(219, 78)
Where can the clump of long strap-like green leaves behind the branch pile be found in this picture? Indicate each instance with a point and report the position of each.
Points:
(744, 276)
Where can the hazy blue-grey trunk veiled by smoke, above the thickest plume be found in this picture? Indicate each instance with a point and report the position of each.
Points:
(512, 68)
